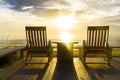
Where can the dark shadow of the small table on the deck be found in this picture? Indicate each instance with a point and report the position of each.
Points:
(65, 72)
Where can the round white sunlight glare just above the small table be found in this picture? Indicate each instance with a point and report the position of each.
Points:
(66, 37)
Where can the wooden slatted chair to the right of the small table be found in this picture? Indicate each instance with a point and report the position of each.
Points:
(96, 44)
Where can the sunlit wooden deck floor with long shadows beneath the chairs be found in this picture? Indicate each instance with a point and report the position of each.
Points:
(55, 71)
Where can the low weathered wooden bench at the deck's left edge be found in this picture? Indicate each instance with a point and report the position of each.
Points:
(7, 55)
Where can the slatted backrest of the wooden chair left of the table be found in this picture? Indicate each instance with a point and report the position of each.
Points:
(36, 36)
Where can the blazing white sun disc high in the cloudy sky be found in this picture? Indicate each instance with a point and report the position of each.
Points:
(65, 22)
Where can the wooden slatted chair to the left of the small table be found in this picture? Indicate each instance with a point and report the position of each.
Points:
(37, 44)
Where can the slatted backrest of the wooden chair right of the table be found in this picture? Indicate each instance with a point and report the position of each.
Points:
(97, 36)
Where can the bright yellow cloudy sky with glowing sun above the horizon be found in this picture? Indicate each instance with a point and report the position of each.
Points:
(16, 14)
